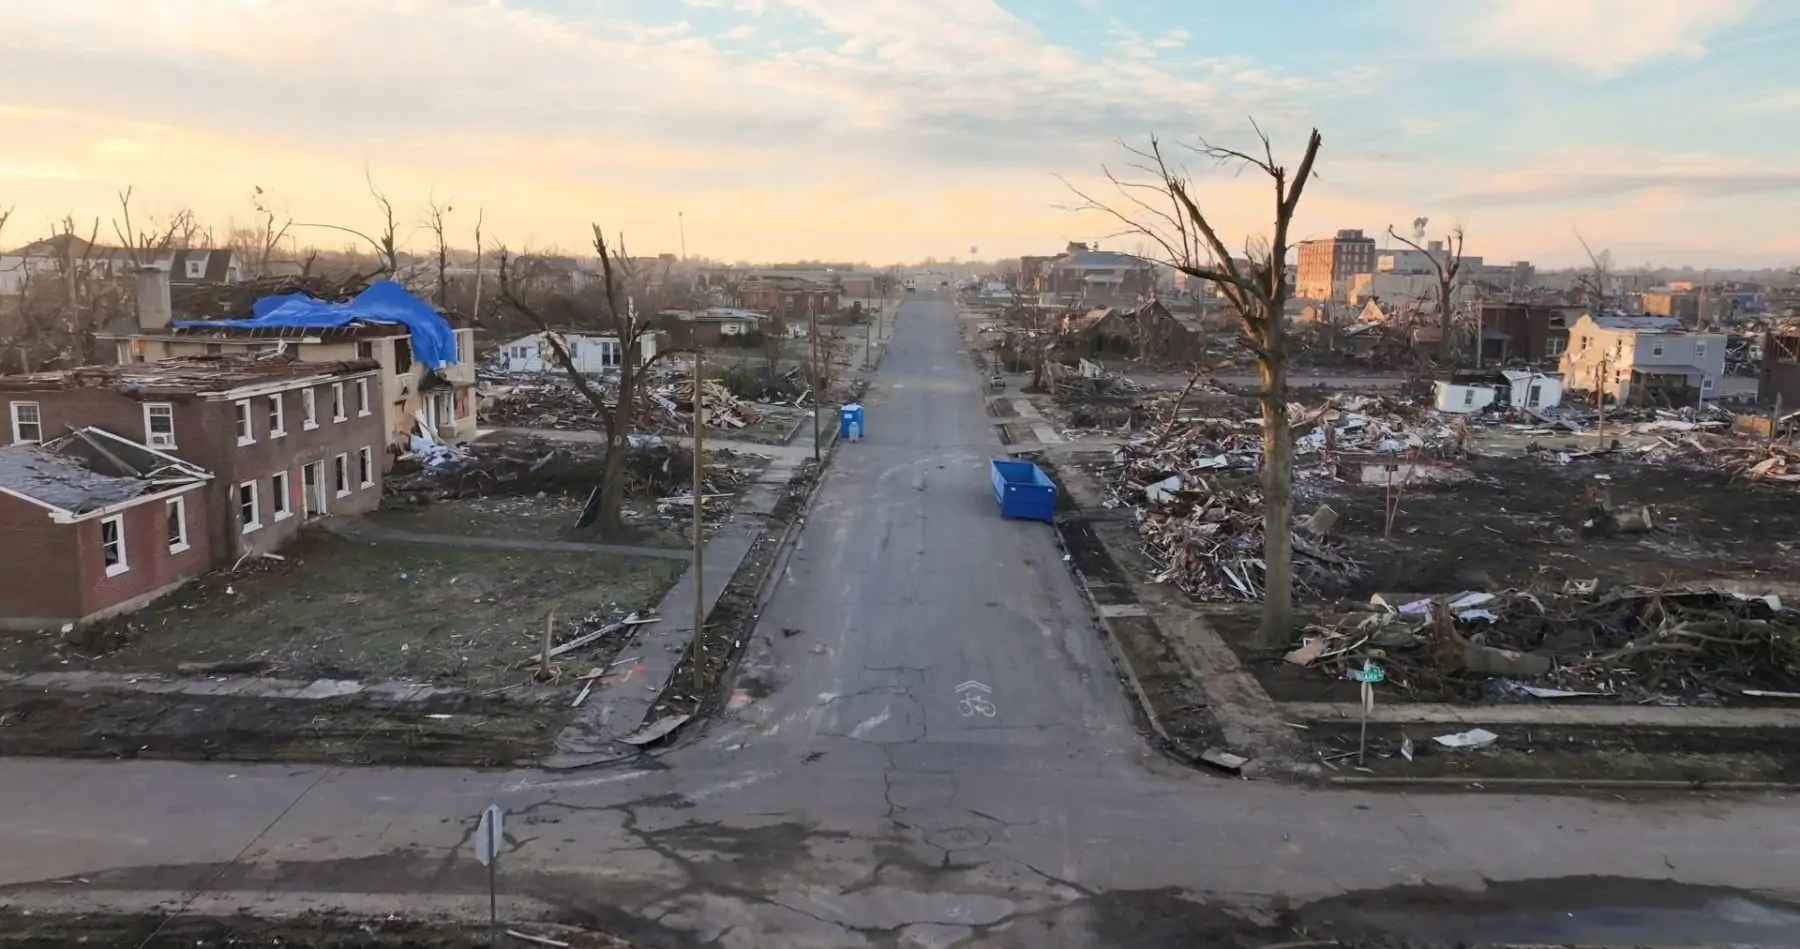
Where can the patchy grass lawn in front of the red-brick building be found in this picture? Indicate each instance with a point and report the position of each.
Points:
(345, 610)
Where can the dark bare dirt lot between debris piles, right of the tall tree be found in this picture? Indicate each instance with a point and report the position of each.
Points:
(1518, 523)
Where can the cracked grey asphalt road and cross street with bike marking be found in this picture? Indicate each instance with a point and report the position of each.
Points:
(858, 799)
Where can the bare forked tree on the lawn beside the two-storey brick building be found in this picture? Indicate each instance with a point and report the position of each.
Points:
(618, 417)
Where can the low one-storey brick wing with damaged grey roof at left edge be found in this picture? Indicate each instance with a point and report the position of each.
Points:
(96, 525)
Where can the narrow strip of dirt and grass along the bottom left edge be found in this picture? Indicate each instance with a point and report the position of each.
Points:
(305, 932)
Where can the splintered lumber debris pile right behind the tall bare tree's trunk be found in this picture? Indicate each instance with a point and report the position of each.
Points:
(1200, 514)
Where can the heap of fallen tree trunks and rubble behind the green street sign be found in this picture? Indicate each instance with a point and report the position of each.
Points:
(1628, 644)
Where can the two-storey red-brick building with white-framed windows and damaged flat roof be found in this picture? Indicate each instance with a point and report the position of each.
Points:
(285, 440)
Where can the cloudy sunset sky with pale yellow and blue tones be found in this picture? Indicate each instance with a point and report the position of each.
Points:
(879, 131)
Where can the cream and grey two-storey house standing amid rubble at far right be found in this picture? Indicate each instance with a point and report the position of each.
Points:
(1642, 361)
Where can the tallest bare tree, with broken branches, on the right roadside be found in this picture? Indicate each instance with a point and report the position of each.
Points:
(1160, 204)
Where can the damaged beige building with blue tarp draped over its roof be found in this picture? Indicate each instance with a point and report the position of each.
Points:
(427, 372)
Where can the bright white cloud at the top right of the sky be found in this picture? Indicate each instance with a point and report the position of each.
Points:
(1599, 37)
